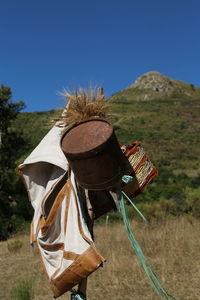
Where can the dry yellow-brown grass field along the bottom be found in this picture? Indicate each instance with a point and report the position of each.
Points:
(171, 246)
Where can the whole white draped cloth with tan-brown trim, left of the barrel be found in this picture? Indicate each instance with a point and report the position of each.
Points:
(59, 226)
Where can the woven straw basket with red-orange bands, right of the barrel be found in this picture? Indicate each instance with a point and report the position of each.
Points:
(140, 168)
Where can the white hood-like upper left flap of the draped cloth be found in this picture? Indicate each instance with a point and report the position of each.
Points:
(42, 169)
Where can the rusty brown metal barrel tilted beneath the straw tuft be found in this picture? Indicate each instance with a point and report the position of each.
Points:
(94, 154)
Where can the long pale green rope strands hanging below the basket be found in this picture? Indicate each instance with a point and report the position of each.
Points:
(139, 253)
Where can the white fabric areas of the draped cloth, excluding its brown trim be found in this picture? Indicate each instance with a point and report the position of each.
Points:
(42, 170)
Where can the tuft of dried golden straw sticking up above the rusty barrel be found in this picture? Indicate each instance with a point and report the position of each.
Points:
(83, 105)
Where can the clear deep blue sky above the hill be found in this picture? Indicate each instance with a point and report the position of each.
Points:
(49, 45)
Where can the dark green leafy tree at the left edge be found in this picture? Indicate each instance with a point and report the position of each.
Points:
(10, 144)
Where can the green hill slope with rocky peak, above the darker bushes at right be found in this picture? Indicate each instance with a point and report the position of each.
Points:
(168, 126)
